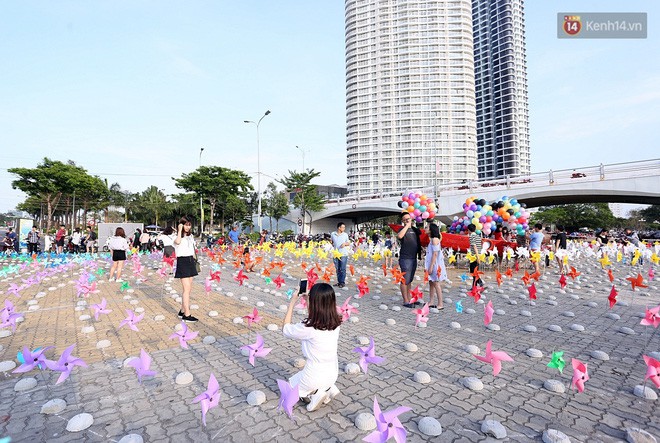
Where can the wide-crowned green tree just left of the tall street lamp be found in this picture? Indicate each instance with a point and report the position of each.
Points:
(216, 185)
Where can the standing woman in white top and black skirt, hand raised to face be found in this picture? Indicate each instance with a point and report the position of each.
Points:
(185, 265)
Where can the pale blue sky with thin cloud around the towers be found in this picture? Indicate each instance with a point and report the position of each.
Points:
(132, 90)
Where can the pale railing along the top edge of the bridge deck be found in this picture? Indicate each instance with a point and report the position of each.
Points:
(601, 172)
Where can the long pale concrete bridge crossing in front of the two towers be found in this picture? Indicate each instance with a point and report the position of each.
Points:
(632, 182)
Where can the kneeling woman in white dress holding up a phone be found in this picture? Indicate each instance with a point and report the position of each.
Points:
(319, 334)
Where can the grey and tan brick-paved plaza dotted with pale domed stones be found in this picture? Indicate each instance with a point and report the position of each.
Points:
(576, 320)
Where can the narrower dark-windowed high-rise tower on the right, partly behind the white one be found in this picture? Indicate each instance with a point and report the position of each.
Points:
(501, 88)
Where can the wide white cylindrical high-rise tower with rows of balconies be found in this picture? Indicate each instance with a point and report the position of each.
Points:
(410, 97)
